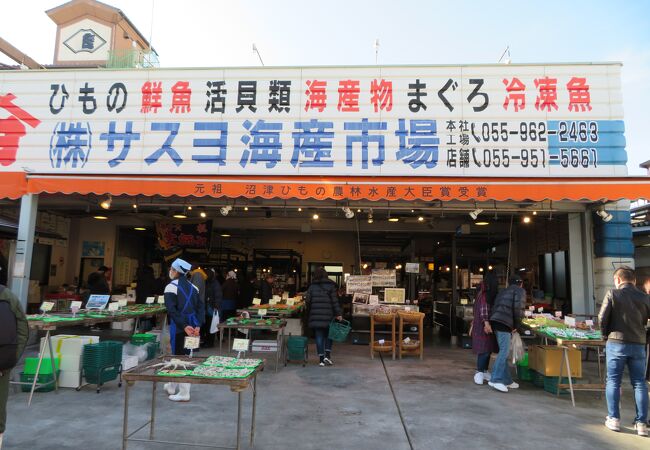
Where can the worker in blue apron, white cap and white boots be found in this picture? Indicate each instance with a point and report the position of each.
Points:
(186, 314)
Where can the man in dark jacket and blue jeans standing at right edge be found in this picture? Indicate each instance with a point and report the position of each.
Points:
(623, 318)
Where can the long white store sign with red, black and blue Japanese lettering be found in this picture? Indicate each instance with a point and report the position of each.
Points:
(492, 120)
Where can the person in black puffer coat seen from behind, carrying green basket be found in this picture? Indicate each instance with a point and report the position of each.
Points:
(323, 307)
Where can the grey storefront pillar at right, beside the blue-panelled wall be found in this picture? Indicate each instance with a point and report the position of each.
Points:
(581, 263)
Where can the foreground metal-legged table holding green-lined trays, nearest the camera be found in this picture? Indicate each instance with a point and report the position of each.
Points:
(148, 372)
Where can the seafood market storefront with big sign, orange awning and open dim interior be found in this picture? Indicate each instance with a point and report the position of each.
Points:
(461, 169)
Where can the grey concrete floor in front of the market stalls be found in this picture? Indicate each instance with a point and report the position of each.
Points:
(348, 406)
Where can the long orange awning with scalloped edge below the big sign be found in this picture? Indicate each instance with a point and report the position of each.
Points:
(337, 188)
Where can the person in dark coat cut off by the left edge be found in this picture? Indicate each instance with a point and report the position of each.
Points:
(14, 333)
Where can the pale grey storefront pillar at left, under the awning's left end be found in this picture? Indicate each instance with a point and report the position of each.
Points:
(24, 247)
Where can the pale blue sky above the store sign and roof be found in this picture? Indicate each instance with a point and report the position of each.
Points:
(194, 33)
